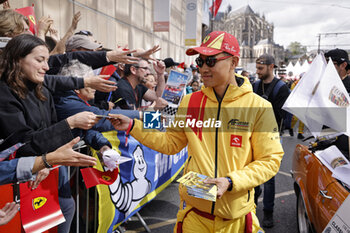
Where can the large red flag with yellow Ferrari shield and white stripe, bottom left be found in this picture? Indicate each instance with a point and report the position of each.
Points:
(40, 209)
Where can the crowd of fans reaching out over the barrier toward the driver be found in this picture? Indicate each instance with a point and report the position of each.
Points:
(51, 87)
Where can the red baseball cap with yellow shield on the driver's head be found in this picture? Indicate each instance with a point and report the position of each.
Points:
(216, 42)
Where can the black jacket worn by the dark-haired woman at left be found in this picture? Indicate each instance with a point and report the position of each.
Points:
(32, 121)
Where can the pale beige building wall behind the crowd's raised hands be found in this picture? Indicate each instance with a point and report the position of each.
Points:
(121, 22)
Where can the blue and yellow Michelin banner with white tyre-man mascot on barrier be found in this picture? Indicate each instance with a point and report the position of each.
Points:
(139, 180)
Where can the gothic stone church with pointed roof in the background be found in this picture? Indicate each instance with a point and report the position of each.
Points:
(253, 32)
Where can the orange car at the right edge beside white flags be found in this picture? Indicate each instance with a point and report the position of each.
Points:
(319, 195)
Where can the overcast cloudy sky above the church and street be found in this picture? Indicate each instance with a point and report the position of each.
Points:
(303, 20)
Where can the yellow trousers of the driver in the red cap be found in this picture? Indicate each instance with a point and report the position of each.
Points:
(194, 223)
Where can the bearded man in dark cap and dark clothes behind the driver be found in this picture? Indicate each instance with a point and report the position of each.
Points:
(276, 92)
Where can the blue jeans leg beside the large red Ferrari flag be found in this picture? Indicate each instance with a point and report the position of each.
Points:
(68, 209)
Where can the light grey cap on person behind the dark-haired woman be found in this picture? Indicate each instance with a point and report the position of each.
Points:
(81, 43)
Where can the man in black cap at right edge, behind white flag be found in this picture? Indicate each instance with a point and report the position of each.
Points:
(341, 62)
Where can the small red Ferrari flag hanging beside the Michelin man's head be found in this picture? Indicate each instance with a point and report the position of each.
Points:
(93, 177)
